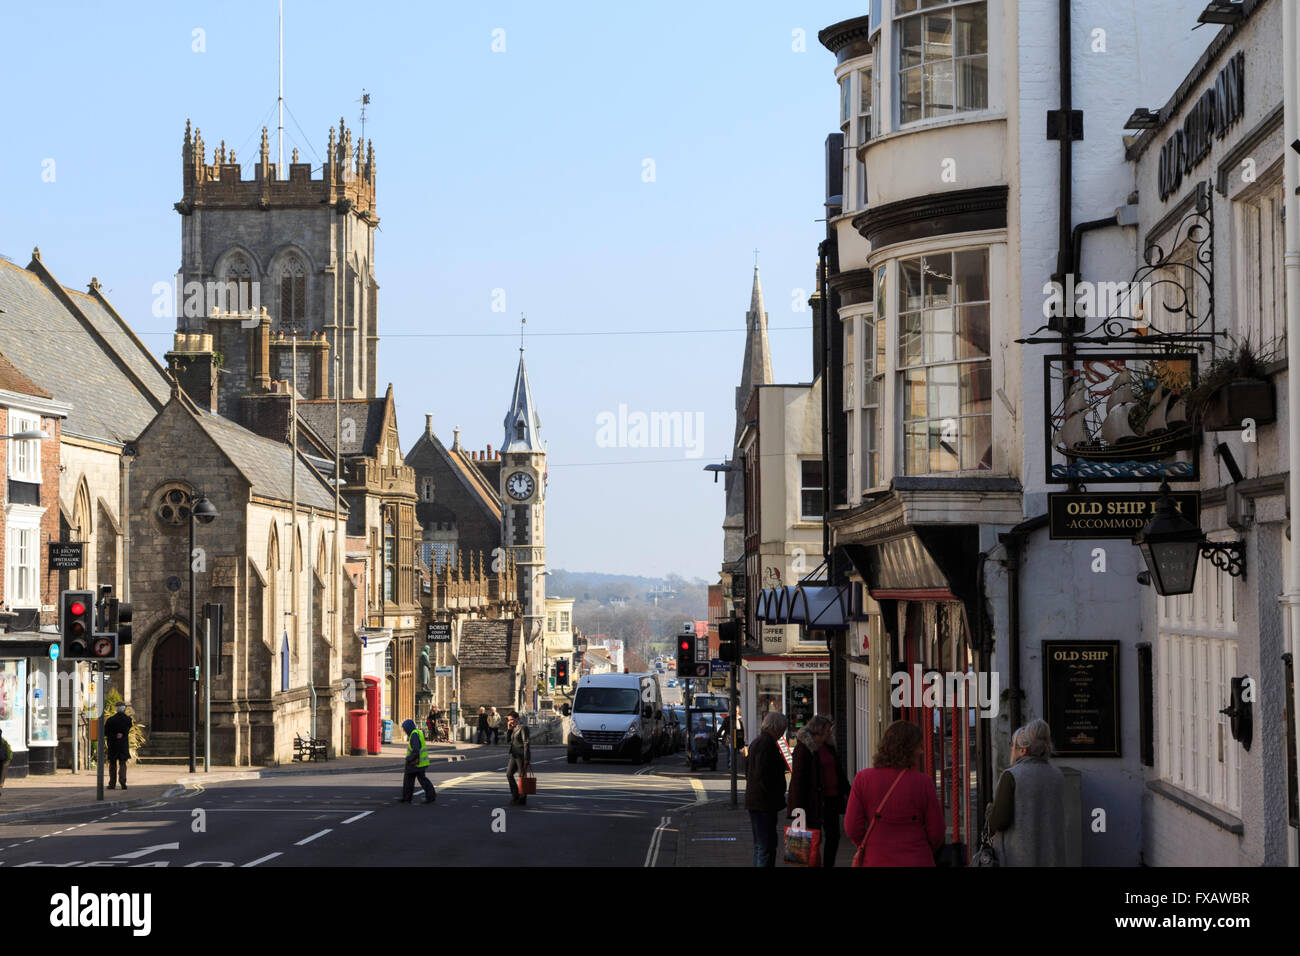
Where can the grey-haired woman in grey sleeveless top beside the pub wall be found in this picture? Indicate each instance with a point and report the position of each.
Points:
(1028, 819)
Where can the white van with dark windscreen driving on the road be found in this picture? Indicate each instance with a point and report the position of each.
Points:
(617, 716)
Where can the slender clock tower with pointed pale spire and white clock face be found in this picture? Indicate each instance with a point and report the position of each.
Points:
(523, 498)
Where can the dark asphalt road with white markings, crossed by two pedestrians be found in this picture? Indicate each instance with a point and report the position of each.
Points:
(606, 815)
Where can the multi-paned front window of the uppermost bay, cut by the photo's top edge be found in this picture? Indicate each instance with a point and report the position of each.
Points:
(943, 58)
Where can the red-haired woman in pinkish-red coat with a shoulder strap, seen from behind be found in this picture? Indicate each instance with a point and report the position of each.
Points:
(909, 828)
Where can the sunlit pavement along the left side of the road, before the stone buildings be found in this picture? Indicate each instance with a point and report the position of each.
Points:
(67, 793)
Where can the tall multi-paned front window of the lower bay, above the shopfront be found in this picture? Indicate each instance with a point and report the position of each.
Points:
(944, 362)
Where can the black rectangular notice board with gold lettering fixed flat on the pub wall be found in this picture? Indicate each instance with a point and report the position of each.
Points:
(1081, 698)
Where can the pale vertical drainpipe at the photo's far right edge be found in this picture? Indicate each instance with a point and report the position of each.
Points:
(1292, 261)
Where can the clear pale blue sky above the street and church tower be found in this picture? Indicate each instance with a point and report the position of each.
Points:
(518, 171)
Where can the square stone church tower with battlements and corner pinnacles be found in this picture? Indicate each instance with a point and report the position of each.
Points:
(300, 248)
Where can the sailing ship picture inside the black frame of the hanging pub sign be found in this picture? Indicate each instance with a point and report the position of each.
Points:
(1117, 419)
